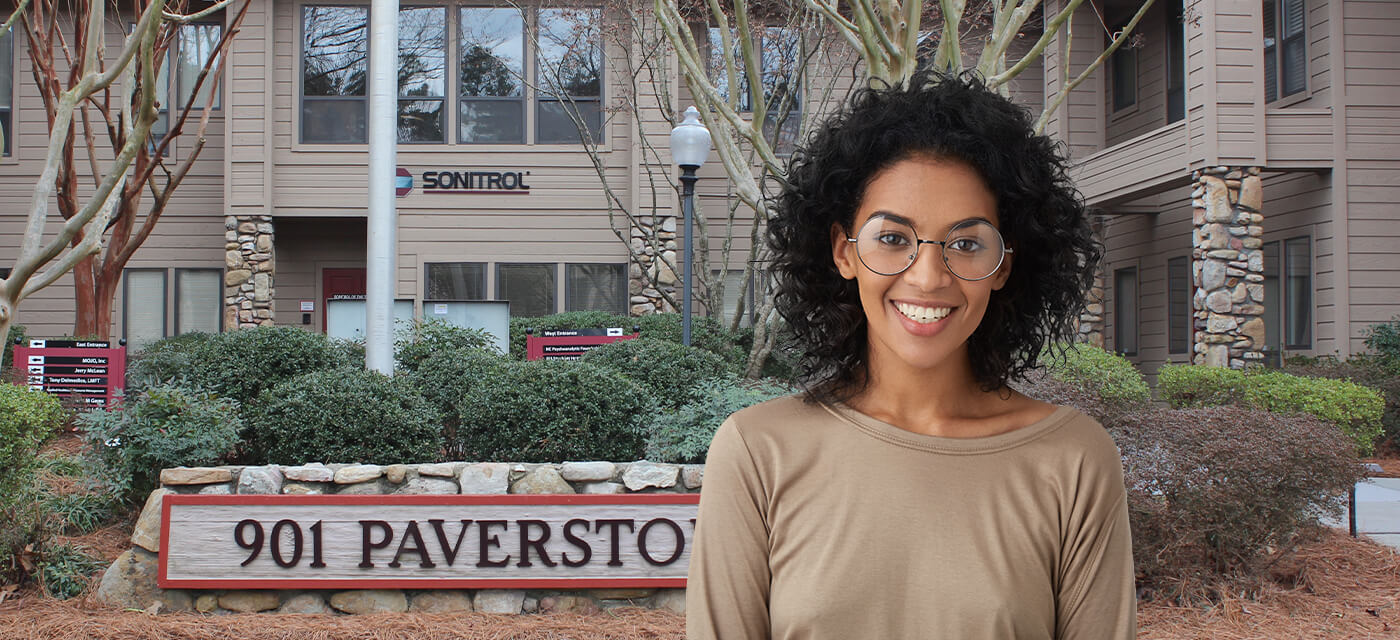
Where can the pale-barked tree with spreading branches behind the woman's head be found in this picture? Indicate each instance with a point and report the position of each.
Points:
(890, 41)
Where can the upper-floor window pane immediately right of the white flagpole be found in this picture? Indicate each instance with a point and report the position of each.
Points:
(422, 75)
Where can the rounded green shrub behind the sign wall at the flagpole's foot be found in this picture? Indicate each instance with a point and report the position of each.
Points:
(345, 417)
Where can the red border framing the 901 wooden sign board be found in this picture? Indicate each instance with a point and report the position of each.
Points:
(170, 501)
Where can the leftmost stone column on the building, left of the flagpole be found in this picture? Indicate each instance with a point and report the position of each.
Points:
(248, 260)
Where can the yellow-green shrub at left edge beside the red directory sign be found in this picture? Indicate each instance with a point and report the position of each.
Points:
(27, 419)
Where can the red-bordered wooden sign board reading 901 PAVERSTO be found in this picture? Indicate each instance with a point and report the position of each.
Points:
(565, 543)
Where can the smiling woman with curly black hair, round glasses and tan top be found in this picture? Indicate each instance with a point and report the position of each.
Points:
(929, 247)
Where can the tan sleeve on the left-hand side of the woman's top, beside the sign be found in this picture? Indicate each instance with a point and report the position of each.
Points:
(727, 593)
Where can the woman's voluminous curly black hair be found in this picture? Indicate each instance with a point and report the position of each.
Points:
(1042, 218)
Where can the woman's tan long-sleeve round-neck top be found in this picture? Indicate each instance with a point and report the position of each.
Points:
(822, 523)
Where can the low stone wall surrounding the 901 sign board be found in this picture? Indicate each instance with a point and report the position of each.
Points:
(131, 580)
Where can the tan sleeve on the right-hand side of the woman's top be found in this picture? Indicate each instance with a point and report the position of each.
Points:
(1097, 599)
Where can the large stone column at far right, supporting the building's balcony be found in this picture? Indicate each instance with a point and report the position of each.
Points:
(1228, 267)
